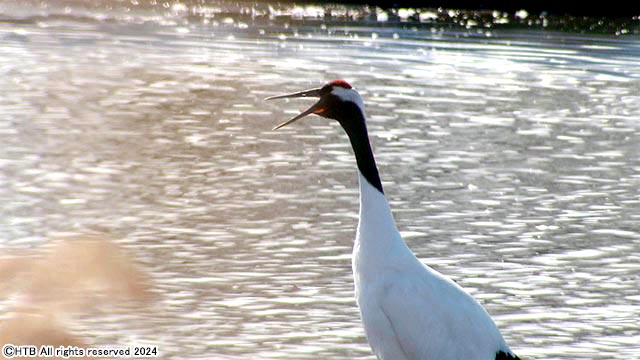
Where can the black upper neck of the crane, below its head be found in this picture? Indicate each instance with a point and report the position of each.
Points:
(356, 128)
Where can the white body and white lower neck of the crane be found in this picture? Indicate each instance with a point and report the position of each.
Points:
(409, 310)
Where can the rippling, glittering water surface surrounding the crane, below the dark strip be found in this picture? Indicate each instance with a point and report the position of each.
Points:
(511, 159)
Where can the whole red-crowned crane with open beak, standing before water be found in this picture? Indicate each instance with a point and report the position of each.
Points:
(409, 310)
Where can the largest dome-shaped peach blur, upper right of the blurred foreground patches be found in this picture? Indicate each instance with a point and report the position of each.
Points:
(79, 273)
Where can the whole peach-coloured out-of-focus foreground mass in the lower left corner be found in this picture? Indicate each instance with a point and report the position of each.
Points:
(64, 281)
